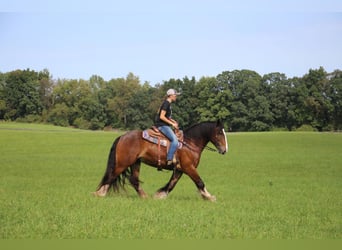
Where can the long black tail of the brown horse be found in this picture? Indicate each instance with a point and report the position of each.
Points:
(108, 178)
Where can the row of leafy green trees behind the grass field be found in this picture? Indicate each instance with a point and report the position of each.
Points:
(242, 99)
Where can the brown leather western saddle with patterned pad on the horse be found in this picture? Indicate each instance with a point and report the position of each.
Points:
(153, 135)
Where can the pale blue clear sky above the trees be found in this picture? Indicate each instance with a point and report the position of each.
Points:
(158, 40)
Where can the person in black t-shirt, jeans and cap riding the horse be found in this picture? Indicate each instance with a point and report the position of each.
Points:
(164, 122)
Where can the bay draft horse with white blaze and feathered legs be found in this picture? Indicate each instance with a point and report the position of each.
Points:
(130, 149)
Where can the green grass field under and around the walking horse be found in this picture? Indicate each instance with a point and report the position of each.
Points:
(276, 185)
